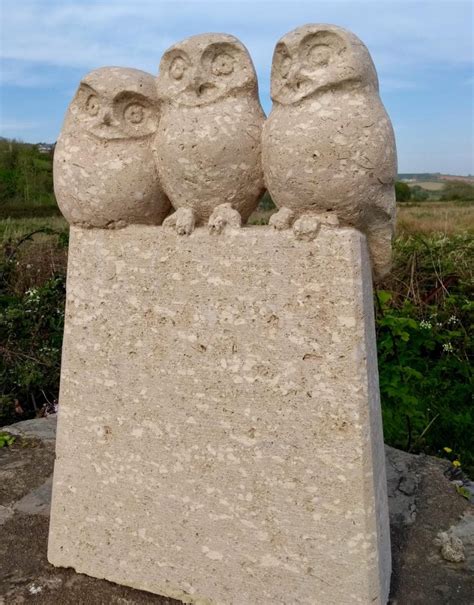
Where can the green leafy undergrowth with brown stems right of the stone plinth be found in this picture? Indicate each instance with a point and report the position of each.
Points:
(423, 335)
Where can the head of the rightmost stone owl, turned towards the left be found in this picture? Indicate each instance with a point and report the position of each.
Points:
(316, 57)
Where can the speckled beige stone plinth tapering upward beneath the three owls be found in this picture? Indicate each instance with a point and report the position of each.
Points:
(219, 436)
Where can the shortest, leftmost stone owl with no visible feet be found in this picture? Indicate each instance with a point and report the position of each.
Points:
(104, 172)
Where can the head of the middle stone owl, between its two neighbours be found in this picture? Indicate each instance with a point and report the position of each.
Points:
(206, 68)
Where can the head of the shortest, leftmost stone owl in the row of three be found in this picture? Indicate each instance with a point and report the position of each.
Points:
(115, 103)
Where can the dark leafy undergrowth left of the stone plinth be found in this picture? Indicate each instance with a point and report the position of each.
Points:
(31, 330)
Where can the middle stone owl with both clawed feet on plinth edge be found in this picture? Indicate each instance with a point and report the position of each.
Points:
(208, 143)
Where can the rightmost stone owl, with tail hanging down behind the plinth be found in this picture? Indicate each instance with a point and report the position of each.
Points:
(328, 145)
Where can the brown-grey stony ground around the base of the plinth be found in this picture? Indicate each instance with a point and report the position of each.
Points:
(423, 502)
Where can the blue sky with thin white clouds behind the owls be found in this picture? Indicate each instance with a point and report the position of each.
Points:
(423, 51)
